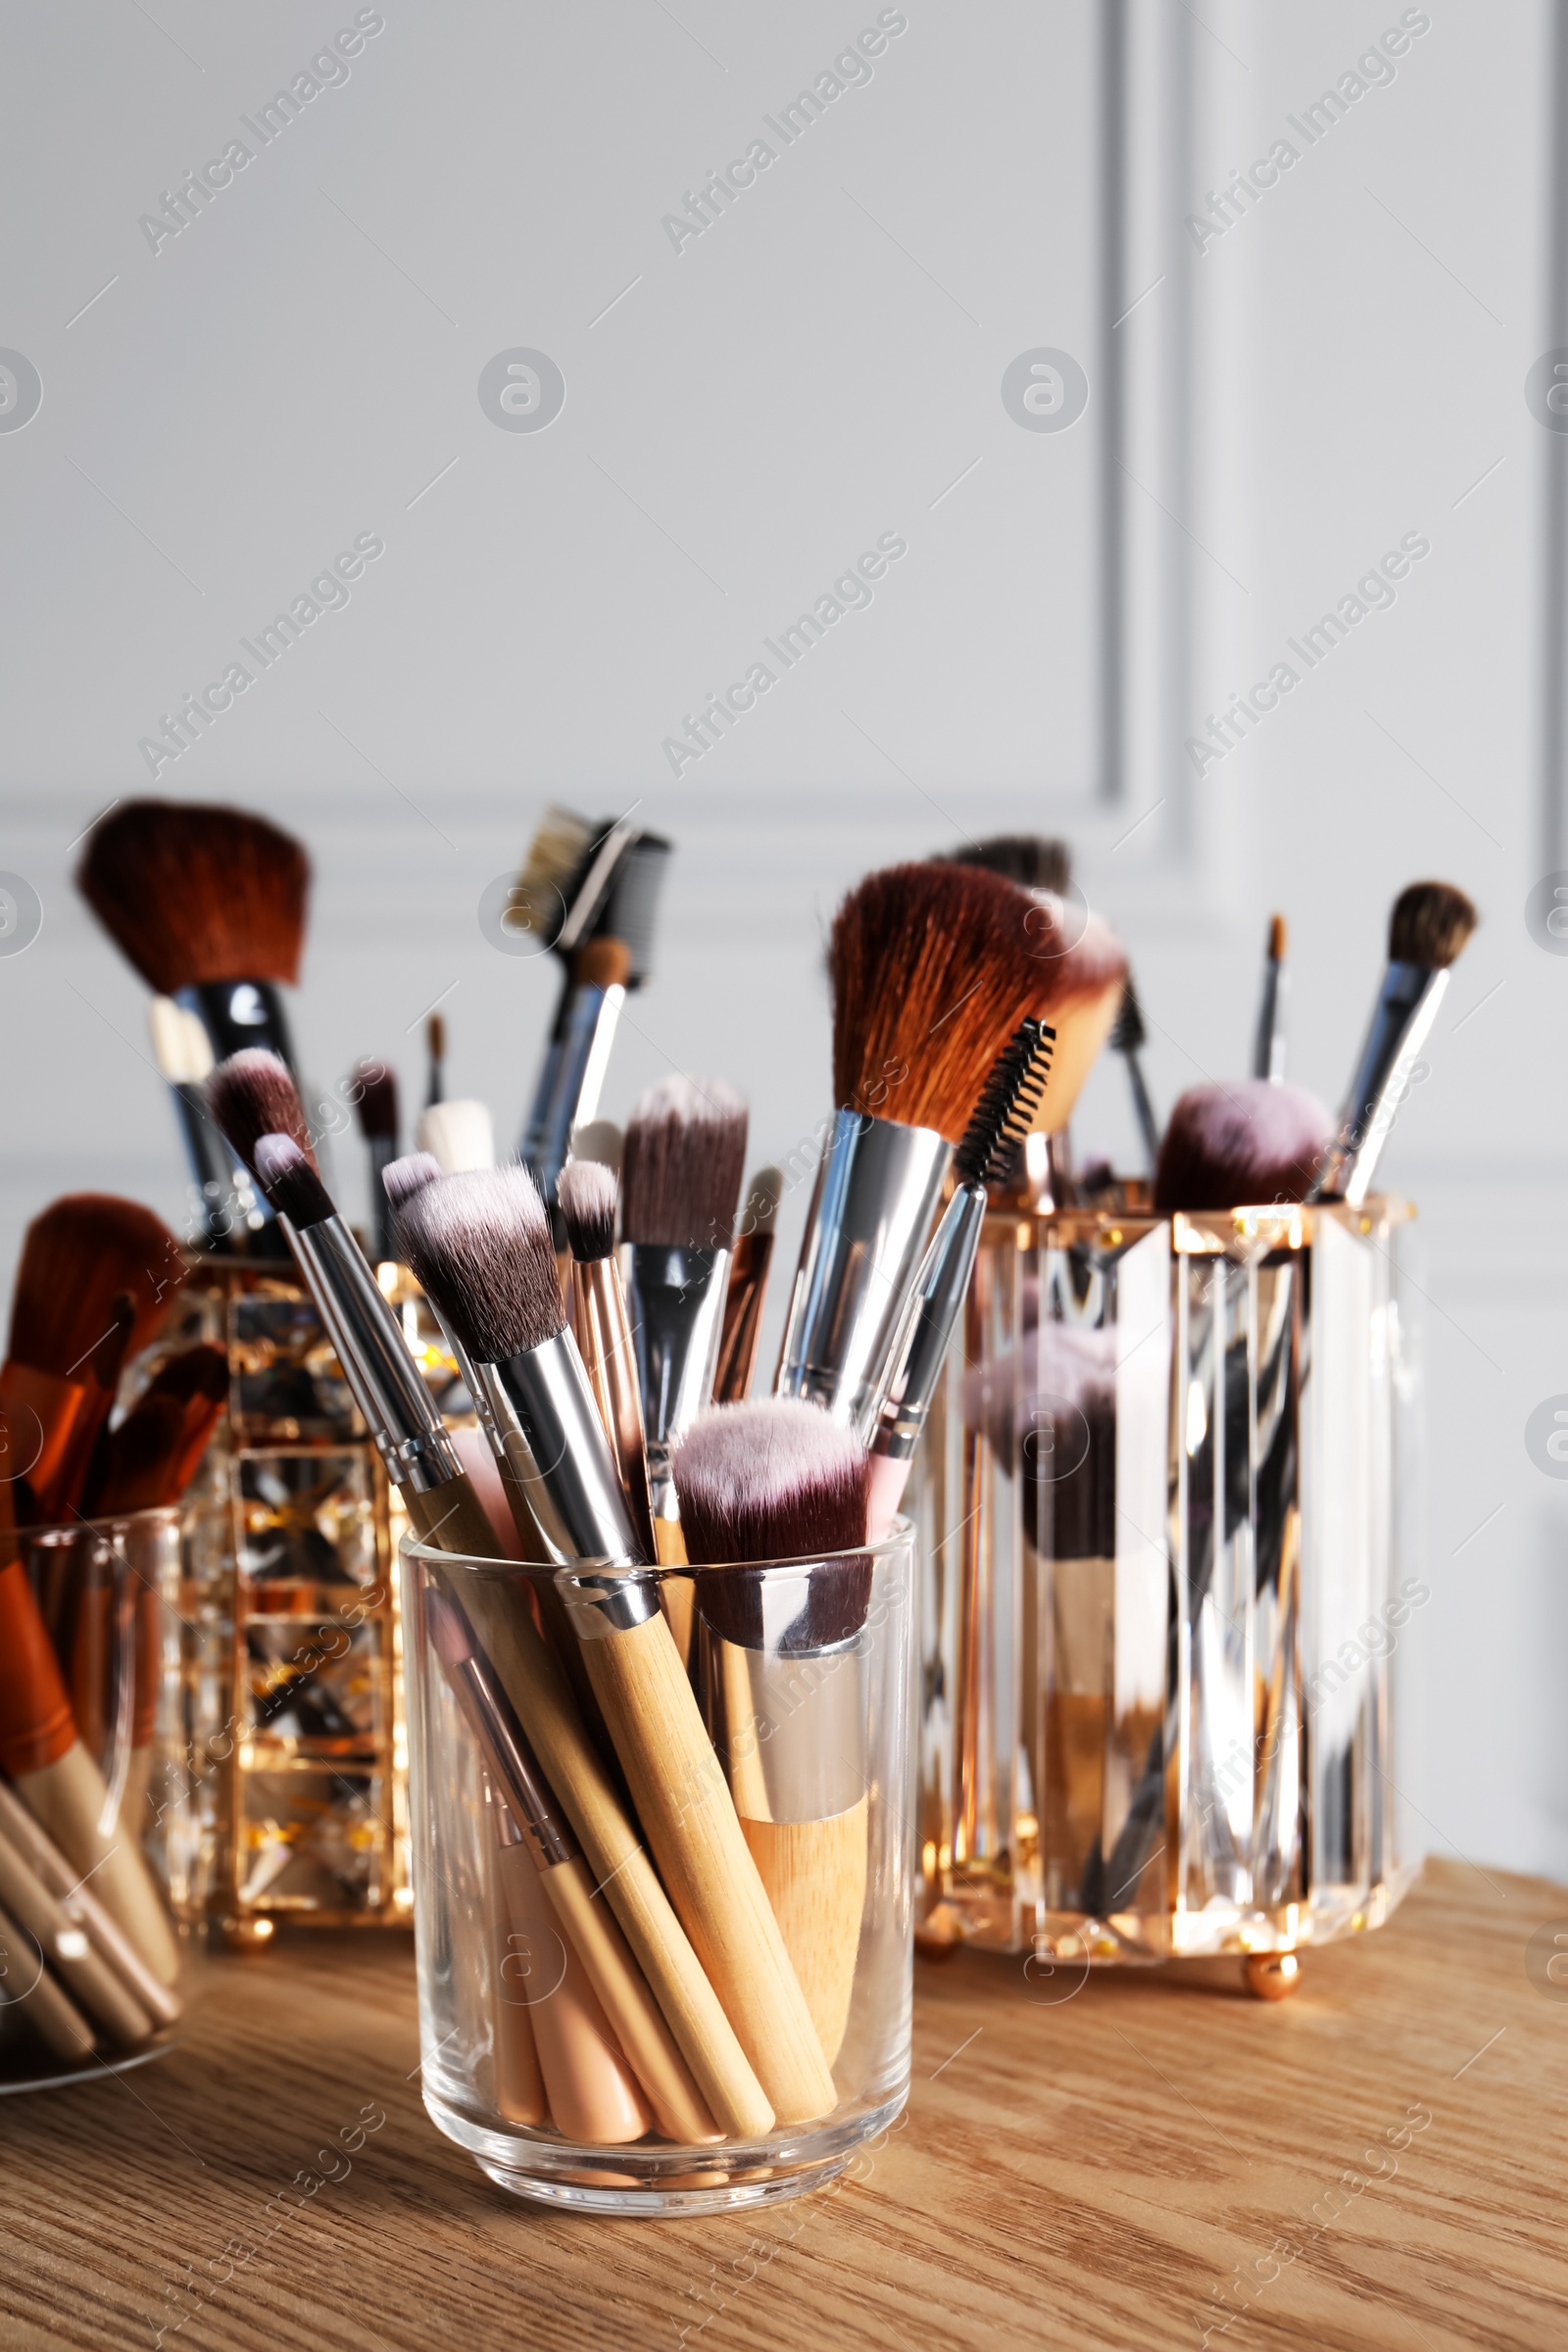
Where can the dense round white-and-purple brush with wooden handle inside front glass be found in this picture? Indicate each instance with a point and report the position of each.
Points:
(779, 1662)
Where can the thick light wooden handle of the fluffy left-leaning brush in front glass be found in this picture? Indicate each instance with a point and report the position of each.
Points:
(690, 1819)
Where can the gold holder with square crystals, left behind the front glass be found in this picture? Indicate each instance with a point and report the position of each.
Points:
(290, 1655)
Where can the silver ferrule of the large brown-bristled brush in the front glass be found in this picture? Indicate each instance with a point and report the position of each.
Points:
(871, 1215)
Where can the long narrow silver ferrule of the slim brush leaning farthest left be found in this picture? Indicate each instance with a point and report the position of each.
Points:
(375, 1356)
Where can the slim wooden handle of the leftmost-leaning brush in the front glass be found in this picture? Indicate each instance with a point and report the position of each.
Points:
(455, 1521)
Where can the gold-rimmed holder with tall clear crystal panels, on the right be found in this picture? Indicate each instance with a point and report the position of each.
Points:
(1170, 1553)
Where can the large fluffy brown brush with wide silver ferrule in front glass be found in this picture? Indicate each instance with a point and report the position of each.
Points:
(932, 970)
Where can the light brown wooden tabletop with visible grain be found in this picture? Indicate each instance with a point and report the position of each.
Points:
(1073, 2172)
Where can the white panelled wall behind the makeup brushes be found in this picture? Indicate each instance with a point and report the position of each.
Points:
(822, 368)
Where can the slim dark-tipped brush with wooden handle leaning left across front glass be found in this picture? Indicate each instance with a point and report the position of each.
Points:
(450, 1516)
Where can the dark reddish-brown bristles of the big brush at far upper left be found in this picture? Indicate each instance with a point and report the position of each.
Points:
(196, 895)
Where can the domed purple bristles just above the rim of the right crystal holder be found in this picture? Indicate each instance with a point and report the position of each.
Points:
(1240, 1147)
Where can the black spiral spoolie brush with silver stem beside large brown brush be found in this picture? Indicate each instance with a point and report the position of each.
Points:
(1005, 1114)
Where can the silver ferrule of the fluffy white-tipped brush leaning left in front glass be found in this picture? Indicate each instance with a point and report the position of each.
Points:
(547, 1434)
